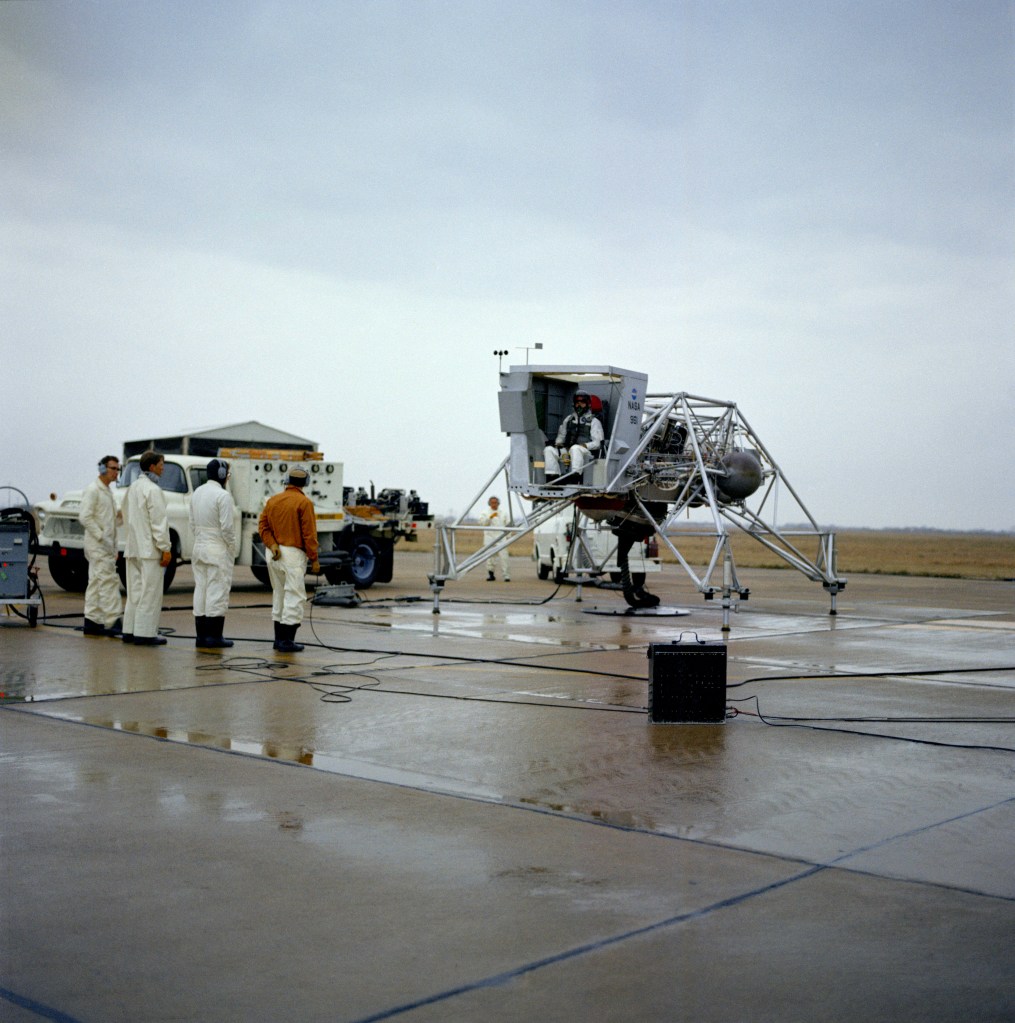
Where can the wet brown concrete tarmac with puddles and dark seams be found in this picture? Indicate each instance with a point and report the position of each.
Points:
(470, 817)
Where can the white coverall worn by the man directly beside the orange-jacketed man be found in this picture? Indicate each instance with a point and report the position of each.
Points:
(213, 523)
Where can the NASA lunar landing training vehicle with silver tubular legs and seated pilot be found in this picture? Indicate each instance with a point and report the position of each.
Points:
(649, 463)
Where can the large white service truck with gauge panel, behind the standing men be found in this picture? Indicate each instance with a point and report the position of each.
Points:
(358, 540)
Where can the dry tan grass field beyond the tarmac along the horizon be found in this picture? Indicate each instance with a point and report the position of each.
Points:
(960, 556)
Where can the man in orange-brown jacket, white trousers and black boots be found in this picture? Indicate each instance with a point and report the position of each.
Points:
(289, 532)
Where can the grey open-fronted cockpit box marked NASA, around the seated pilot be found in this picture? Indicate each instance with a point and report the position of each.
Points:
(535, 401)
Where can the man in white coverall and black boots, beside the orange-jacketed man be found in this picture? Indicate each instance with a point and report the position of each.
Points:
(213, 524)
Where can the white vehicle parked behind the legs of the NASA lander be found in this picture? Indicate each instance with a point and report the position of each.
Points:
(593, 557)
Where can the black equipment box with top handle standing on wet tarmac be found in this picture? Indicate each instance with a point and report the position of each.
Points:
(688, 684)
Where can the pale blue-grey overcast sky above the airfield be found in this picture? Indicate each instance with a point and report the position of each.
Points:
(327, 216)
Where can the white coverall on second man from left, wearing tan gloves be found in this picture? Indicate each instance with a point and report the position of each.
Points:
(148, 539)
